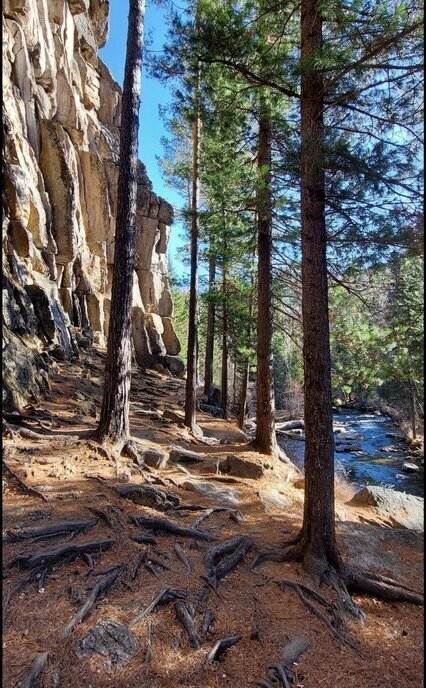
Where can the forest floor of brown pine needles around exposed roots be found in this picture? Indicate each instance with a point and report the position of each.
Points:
(71, 475)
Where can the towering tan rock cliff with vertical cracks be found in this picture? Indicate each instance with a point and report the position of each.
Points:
(61, 119)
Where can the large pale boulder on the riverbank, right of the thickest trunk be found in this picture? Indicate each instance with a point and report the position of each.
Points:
(400, 509)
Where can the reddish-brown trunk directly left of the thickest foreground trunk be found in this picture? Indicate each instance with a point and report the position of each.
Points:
(265, 440)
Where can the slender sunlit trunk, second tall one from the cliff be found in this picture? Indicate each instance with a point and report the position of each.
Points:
(191, 372)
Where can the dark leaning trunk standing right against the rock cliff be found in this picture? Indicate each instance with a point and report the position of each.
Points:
(114, 419)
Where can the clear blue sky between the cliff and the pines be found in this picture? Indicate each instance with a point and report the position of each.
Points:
(151, 128)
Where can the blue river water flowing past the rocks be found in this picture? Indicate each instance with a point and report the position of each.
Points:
(369, 465)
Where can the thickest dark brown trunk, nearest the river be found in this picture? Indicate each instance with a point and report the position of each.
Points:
(318, 532)
